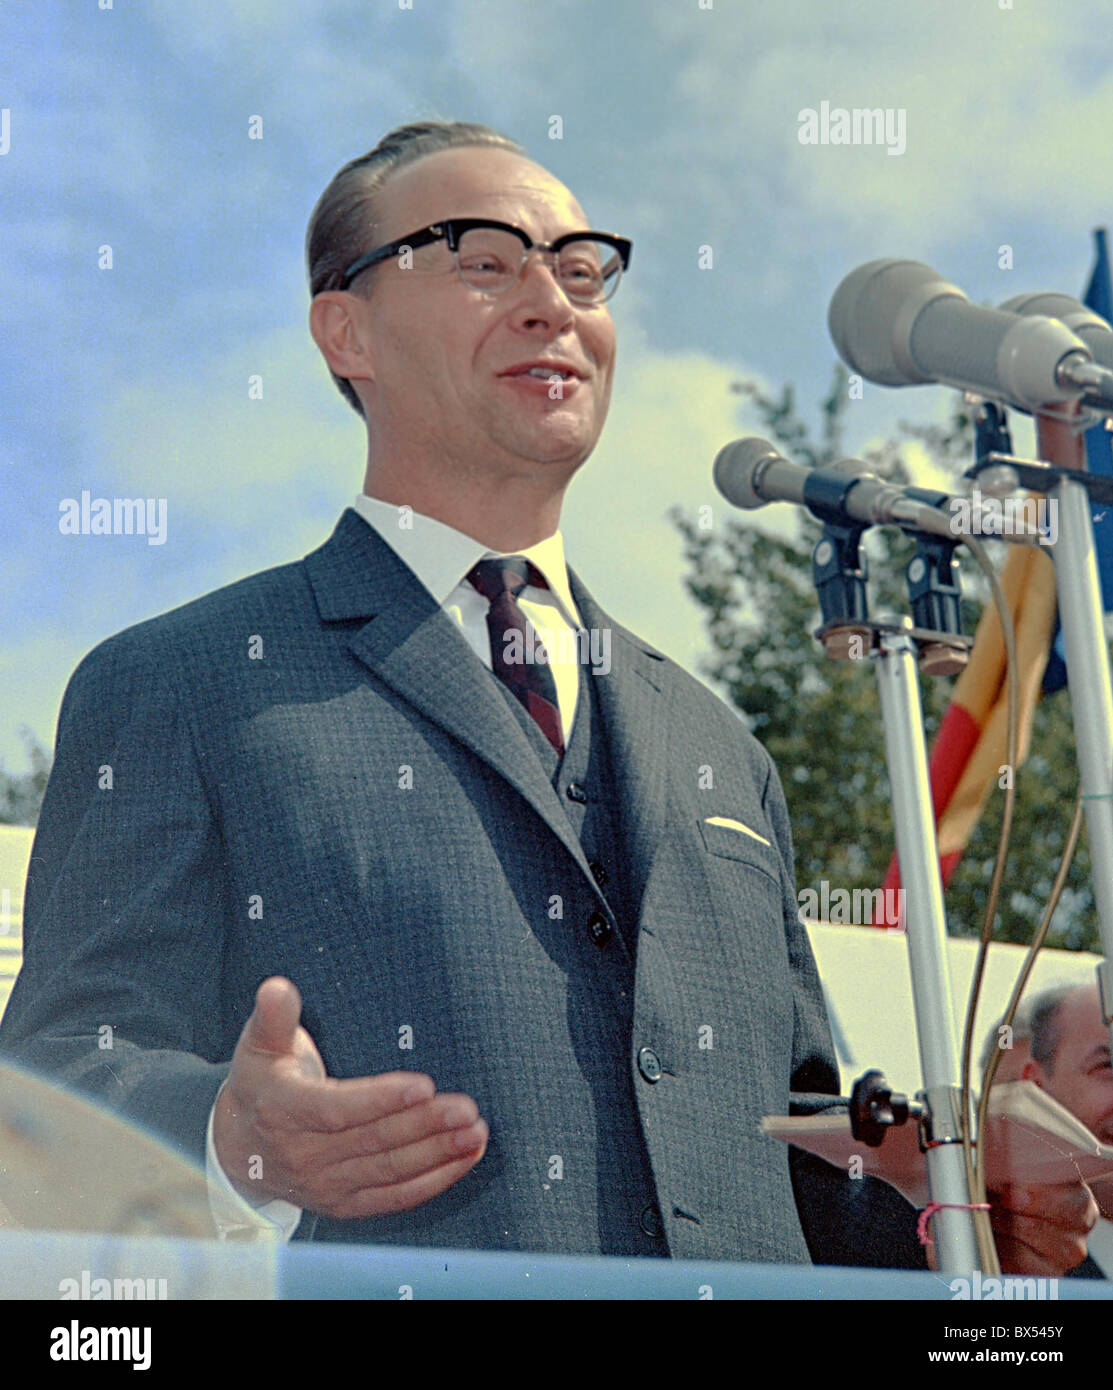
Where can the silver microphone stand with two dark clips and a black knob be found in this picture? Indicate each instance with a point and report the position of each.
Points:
(897, 648)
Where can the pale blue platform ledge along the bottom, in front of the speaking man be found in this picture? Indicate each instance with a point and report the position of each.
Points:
(69, 1266)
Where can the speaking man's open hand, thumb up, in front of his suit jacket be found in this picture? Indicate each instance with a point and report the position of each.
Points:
(345, 1149)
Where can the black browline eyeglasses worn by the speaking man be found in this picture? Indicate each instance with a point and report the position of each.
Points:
(490, 256)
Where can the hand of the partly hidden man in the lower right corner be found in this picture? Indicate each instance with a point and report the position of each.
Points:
(1043, 1231)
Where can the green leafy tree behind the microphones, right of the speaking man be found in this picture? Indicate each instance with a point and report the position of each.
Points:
(821, 719)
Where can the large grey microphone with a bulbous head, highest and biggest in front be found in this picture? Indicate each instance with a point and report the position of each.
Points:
(898, 323)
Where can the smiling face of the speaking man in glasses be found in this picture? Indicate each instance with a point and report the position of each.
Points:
(441, 350)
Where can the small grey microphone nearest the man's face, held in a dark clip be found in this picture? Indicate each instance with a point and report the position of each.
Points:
(750, 473)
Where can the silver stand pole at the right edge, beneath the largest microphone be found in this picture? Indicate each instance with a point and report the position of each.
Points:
(1091, 701)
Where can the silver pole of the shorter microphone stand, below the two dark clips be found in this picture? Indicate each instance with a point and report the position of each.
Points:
(926, 935)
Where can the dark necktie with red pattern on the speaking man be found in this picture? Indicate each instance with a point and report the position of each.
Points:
(531, 682)
